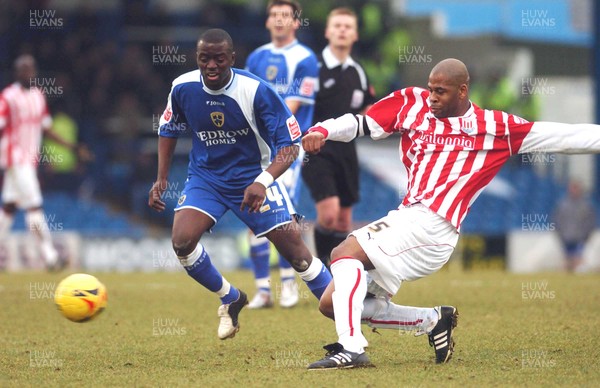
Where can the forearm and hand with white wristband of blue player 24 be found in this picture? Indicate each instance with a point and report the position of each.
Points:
(255, 194)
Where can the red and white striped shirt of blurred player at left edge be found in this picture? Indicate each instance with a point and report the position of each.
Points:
(23, 116)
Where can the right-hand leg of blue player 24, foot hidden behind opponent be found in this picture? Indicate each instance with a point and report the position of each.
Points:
(288, 241)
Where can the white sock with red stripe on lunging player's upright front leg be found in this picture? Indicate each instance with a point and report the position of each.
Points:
(350, 290)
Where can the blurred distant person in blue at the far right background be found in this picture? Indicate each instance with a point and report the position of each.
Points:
(575, 221)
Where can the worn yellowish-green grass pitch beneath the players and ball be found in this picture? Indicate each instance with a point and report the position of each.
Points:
(160, 330)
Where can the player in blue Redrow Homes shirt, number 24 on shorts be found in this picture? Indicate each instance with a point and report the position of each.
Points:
(244, 137)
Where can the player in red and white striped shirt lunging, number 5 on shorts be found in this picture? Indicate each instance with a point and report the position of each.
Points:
(451, 149)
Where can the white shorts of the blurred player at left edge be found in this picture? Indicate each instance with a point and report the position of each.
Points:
(21, 187)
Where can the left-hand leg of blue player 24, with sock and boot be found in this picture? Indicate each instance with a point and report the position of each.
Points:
(188, 227)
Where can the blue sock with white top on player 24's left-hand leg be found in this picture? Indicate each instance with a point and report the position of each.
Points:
(200, 268)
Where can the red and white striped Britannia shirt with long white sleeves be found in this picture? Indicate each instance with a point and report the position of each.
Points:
(449, 161)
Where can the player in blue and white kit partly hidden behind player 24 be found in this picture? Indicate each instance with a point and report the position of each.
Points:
(292, 70)
